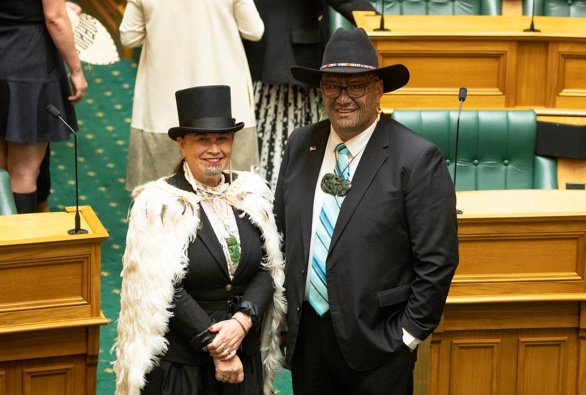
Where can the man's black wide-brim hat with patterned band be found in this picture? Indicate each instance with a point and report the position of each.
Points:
(352, 52)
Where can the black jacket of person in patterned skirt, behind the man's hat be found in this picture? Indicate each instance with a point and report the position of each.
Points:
(293, 36)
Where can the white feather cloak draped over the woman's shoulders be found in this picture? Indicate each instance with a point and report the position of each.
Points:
(163, 221)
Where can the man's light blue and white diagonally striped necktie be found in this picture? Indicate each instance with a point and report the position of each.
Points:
(318, 290)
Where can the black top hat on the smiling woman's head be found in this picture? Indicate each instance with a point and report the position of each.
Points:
(204, 109)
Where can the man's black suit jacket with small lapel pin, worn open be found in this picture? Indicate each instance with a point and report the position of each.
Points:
(394, 249)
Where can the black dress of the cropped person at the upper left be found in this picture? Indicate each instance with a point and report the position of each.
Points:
(32, 76)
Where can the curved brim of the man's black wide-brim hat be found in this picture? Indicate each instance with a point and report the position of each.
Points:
(394, 77)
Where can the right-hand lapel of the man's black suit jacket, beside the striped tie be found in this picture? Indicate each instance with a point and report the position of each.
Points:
(373, 157)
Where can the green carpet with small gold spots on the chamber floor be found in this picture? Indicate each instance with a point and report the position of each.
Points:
(104, 117)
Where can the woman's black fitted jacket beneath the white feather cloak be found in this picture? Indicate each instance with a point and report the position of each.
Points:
(208, 279)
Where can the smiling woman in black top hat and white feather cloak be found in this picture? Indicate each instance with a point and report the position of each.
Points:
(202, 293)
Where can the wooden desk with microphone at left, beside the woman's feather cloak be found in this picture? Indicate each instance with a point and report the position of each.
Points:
(49, 303)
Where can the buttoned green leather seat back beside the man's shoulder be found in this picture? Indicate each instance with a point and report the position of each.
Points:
(496, 148)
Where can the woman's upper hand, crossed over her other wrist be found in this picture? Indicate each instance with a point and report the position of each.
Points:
(229, 336)
